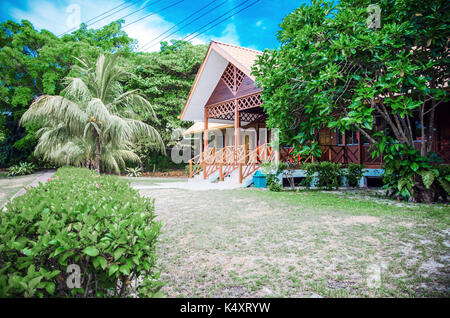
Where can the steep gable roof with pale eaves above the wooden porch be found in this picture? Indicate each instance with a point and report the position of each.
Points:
(214, 63)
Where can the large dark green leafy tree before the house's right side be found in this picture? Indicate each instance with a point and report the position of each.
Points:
(334, 71)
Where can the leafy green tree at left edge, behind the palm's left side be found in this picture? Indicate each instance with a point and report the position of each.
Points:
(35, 63)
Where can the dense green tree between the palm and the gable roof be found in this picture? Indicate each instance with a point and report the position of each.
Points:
(164, 78)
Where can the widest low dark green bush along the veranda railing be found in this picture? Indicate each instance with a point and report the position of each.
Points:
(328, 174)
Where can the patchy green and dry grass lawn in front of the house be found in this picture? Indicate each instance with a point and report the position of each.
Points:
(253, 243)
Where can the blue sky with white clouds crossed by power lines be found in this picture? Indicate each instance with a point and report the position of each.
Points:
(254, 27)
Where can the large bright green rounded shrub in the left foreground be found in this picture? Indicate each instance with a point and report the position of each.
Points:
(98, 223)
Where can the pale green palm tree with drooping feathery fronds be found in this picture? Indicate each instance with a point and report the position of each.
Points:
(92, 123)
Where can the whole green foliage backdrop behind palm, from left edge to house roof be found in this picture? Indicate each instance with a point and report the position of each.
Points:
(35, 63)
